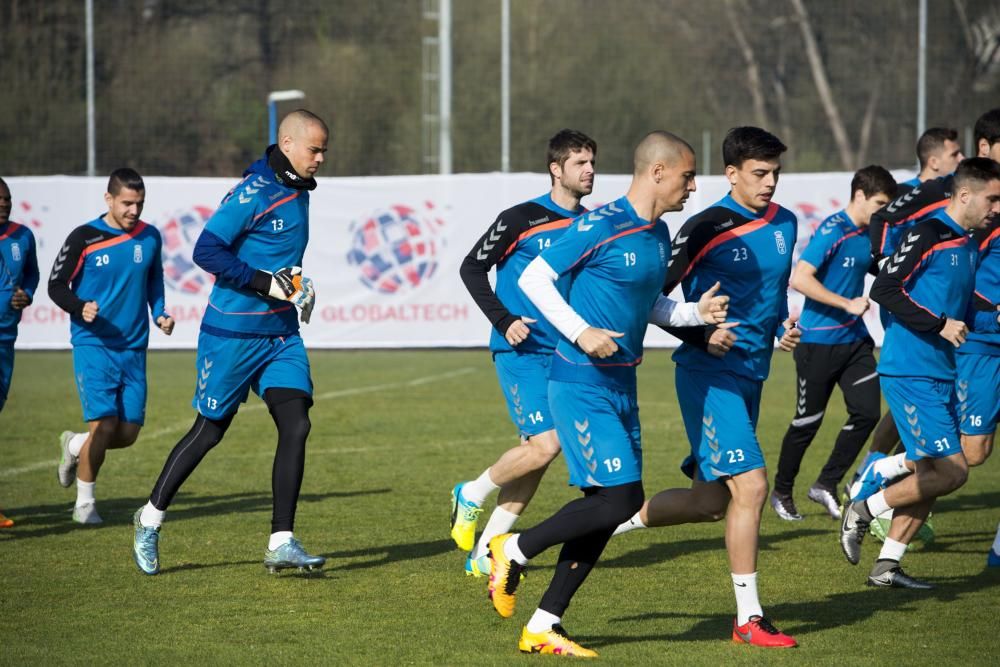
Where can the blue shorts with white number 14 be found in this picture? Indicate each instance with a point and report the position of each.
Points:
(524, 380)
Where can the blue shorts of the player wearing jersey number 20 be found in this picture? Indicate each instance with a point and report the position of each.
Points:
(111, 383)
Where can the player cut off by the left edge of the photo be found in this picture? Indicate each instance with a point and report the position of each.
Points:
(18, 281)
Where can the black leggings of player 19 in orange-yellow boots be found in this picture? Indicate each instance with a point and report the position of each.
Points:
(583, 527)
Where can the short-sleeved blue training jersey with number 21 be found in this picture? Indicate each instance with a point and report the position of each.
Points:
(841, 253)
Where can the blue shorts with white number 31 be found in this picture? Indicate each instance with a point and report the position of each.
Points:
(926, 415)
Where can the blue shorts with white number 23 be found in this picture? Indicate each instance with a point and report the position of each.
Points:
(720, 413)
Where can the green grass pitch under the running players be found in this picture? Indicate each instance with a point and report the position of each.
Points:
(392, 432)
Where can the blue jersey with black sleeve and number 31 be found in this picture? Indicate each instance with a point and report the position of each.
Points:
(930, 277)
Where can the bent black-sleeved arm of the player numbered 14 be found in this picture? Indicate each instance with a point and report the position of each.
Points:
(488, 251)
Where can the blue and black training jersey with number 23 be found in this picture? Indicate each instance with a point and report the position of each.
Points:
(750, 254)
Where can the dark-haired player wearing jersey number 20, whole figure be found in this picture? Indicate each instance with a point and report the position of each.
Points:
(106, 275)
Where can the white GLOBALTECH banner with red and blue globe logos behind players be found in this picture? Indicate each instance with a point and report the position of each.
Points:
(384, 252)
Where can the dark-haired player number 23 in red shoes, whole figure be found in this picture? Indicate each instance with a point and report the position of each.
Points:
(745, 242)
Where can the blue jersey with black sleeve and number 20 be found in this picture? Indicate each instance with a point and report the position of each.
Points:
(121, 271)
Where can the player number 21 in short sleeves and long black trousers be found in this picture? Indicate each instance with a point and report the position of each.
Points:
(835, 347)
